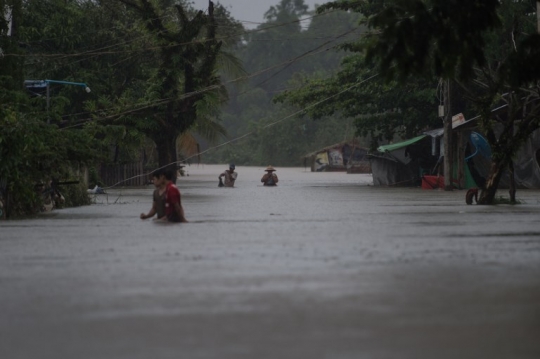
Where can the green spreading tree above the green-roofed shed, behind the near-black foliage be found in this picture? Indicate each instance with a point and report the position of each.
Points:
(380, 110)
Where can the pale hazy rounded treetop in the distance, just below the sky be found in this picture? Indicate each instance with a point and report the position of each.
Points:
(280, 47)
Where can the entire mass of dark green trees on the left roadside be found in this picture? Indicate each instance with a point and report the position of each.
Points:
(153, 73)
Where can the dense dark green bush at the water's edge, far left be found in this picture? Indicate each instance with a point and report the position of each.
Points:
(32, 151)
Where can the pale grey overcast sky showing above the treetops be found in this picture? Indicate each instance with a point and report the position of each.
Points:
(249, 12)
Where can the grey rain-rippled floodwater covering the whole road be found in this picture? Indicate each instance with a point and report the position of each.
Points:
(323, 266)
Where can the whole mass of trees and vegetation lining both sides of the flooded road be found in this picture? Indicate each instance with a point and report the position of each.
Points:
(168, 82)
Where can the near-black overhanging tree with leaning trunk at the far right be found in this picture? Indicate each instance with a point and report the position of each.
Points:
(489, 48)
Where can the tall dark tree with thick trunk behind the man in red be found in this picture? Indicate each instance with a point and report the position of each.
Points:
(185, 75)
